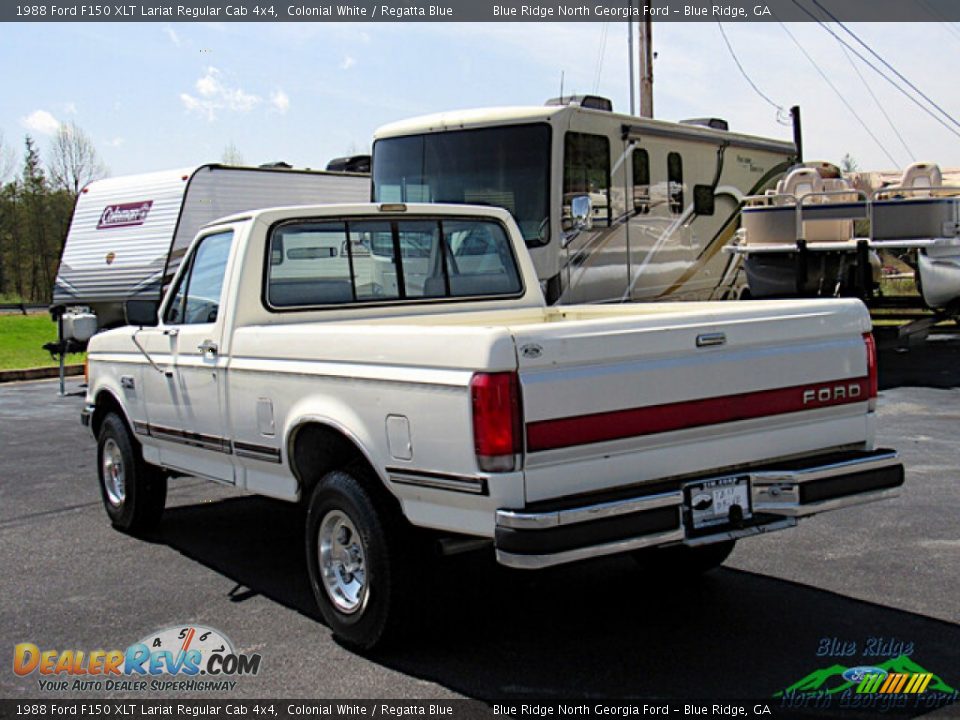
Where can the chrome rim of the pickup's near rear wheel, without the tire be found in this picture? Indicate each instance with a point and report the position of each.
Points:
(342, 562)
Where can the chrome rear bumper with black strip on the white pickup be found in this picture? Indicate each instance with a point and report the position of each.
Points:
(562, 531)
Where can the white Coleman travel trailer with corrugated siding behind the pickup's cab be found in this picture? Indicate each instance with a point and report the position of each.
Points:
(128, 234)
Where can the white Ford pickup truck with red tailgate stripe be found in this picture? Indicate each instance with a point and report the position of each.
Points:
(395, 369)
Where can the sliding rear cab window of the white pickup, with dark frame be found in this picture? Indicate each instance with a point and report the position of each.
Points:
(324, 263)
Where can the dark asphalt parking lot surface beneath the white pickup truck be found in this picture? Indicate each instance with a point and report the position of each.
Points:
(883, 573)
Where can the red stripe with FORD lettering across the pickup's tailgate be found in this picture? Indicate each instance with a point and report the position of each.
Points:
(653, 419)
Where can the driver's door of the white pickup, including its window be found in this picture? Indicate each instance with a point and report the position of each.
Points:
(187, 406)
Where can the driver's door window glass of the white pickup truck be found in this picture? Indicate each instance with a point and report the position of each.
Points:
(197, 298)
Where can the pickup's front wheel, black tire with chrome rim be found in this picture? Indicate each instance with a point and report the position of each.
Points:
(136, 505)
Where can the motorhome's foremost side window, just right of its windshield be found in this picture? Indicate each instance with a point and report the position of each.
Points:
(586, 171)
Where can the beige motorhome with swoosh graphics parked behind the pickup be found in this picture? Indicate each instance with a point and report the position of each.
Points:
(656, 200)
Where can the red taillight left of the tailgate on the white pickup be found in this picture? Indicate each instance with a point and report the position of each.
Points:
(497, 424)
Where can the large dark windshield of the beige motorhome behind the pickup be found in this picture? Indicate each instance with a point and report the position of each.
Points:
(508, 167)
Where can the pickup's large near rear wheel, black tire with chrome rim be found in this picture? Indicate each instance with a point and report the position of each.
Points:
(365, 618)
